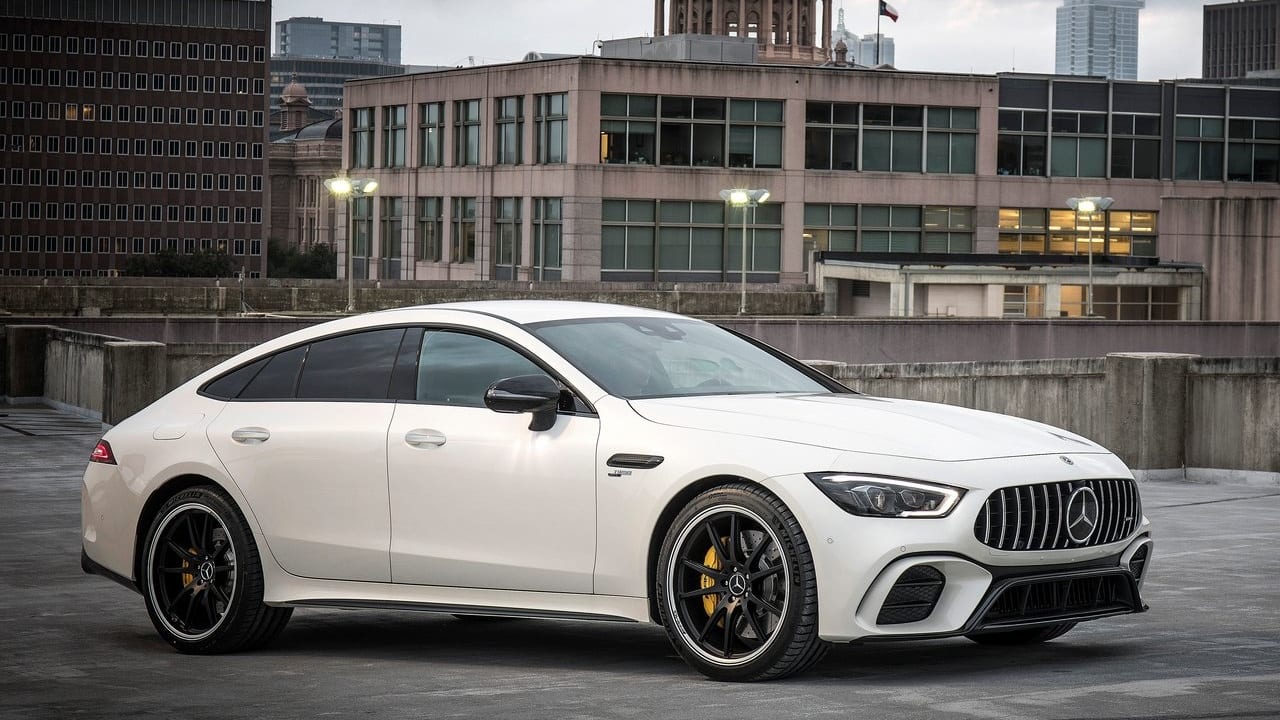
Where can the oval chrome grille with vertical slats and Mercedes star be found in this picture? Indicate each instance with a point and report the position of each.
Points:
(1059, 516)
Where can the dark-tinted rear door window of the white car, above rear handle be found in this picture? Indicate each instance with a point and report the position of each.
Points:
(356, 367)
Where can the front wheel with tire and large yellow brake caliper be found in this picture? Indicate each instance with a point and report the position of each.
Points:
(737, 587)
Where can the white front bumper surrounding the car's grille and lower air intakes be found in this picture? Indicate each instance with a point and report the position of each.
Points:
(920, 578)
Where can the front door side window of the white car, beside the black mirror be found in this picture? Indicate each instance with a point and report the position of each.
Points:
(458, 370)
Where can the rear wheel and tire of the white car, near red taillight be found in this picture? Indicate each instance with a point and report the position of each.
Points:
(202, 577)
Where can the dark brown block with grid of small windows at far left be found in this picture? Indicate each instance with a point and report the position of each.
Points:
(134, 134)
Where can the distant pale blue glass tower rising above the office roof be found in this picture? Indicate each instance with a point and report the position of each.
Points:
(1099, 38)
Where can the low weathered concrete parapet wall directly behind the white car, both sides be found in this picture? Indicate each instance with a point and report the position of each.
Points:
(1164, 414)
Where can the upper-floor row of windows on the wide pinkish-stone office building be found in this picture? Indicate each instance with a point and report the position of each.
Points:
(721, 133)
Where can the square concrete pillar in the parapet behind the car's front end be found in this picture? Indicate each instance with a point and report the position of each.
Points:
(1148, 409)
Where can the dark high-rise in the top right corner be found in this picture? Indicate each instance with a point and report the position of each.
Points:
(1241, 39)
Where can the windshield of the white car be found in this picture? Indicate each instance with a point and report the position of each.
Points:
(637, 358)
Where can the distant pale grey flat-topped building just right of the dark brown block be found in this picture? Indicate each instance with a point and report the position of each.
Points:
(317, 38)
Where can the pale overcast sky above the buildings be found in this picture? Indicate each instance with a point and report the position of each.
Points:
(980, 37)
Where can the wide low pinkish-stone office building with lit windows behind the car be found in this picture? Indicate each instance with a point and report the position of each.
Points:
(899, 194)
